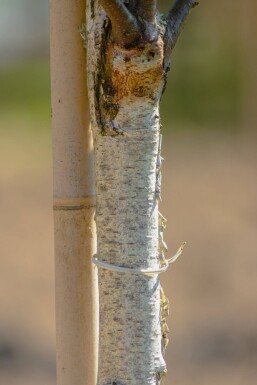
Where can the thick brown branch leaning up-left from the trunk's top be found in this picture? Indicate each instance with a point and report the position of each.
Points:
(125, 27)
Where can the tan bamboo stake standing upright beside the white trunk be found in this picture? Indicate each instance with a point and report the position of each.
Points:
(74, 199)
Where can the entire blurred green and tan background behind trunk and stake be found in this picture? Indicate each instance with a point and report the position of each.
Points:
(209, 196)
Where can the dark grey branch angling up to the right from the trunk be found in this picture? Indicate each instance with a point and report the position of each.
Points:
(176, 20)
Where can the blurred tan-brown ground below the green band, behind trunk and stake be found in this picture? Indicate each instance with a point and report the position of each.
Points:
(209, 198)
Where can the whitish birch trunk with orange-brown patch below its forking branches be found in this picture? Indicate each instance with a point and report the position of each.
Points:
(129, 47)
